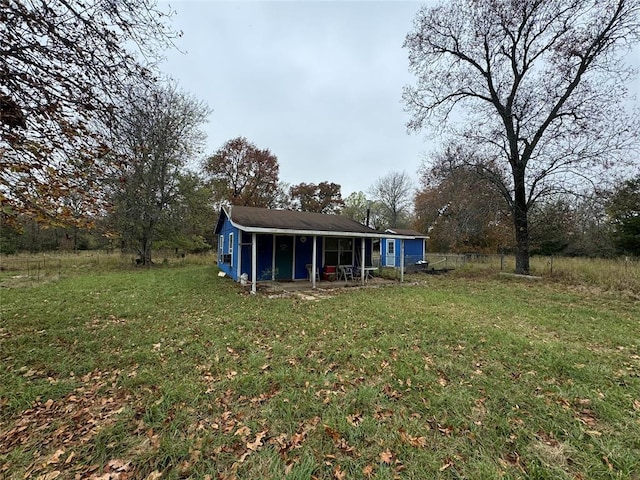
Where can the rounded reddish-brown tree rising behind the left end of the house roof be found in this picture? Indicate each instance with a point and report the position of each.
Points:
(243, 174)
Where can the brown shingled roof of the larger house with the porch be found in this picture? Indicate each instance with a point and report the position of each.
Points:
(265, 220)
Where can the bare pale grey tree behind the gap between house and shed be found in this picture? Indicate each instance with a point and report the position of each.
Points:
(393, 195)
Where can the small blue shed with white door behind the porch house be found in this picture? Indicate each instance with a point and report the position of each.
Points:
(402, 248)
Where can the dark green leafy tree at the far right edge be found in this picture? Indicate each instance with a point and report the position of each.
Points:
(624, 212)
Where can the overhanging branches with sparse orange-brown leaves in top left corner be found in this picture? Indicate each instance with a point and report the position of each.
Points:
(63, 64)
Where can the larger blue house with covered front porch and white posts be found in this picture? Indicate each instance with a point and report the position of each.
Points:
(259, 244)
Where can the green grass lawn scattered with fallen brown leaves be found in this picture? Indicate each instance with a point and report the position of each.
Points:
(172, 372)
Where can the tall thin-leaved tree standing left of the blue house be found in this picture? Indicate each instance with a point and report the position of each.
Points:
(159, 134)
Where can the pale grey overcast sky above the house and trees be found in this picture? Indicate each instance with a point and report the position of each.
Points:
(318, 83)
